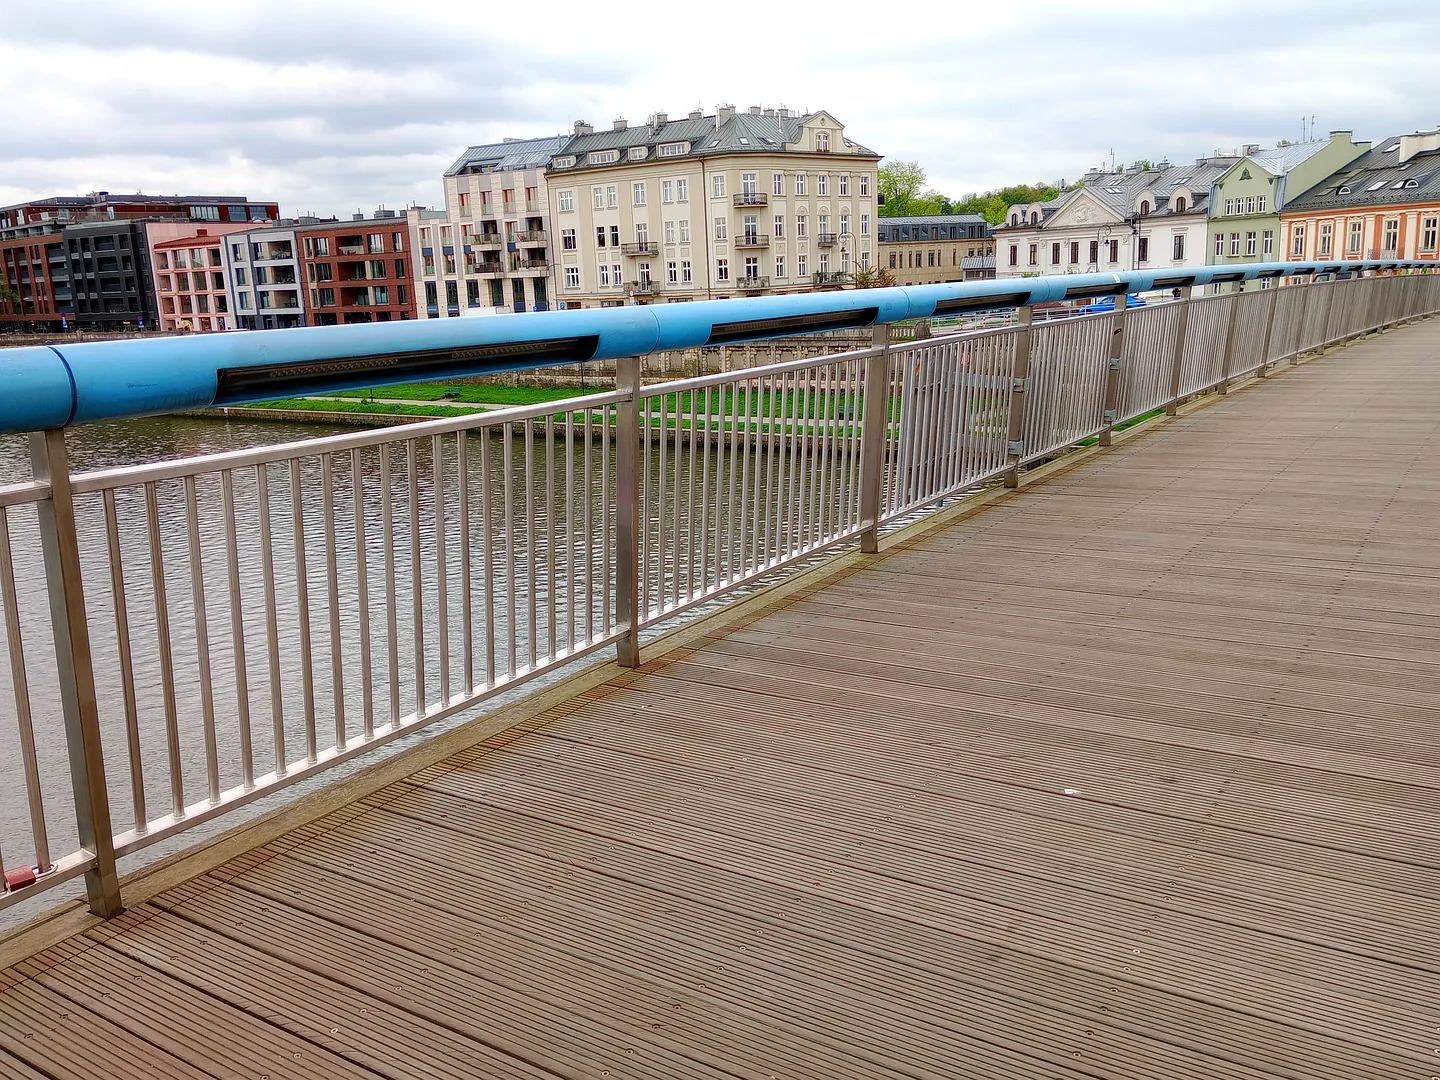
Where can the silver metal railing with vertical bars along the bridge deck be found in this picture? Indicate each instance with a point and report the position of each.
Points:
(188, 637)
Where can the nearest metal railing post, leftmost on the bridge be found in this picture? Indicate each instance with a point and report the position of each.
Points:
(60, 548)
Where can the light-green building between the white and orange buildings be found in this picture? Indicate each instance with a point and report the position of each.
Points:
(1246, 201)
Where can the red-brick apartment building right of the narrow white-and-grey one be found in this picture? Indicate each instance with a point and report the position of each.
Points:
(358, 270)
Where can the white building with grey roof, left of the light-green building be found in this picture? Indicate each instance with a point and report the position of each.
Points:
(1140, 220)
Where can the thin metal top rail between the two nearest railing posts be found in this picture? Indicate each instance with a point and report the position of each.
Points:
(126, 476)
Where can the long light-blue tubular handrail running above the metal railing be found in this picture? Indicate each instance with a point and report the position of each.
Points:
(55, 387)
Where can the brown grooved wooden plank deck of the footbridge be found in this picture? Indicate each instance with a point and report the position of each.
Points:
(1133, 775)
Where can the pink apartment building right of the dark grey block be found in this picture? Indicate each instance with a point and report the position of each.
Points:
(188, 266)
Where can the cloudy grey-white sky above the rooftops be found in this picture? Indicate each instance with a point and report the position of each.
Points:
(342, 107)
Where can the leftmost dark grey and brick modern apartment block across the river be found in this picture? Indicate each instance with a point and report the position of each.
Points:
(84, 261)
